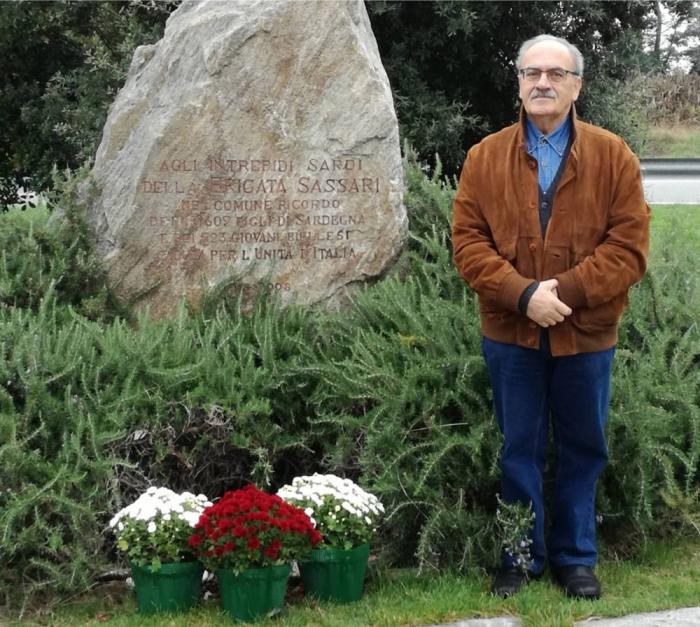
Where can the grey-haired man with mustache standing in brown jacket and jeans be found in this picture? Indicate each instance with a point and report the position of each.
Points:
(551, 229)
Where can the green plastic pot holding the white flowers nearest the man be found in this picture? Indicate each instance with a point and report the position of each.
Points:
(335, 574)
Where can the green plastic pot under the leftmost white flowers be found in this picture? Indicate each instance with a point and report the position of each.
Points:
(173, 588)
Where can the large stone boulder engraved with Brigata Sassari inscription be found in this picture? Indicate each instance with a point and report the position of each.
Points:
(255, 144)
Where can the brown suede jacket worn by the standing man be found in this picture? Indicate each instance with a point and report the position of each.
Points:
(596, 243)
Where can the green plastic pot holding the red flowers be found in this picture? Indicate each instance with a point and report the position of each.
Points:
(254, 593)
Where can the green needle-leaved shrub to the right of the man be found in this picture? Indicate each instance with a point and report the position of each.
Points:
(653, 427)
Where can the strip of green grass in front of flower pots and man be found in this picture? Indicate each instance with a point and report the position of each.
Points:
(663, 576)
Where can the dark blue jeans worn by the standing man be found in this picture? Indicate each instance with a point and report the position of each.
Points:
(529, 386)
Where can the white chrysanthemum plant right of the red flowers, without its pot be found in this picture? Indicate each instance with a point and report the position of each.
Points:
(344, 513)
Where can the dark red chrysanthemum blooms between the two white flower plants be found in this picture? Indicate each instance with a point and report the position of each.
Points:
(249, 528)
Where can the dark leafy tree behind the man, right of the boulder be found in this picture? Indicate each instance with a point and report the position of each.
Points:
(451, 64)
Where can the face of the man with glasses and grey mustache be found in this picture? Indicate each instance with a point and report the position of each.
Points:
(548, 103)
